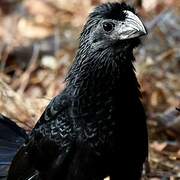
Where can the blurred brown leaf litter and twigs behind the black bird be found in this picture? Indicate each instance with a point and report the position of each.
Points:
(38, 41)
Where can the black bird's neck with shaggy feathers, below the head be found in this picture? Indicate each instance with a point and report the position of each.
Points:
(99, 76)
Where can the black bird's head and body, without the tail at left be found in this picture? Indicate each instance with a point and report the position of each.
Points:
(97, 126)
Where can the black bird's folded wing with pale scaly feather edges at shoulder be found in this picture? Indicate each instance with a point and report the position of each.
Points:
(49, 146)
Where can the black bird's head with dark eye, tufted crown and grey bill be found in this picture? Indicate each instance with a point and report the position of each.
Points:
(113, 25)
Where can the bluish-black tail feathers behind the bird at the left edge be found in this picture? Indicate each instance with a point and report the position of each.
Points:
(11, 138)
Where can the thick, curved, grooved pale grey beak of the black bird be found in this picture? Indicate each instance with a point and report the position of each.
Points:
(132, 27)
